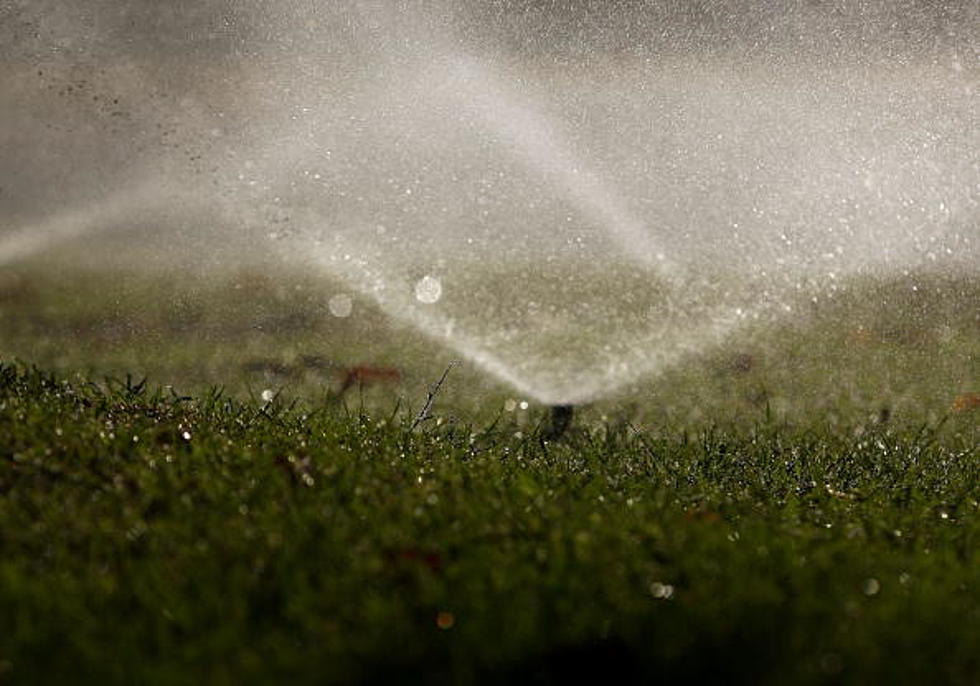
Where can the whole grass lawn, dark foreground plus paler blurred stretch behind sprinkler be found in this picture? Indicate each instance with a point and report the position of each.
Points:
(717, 524)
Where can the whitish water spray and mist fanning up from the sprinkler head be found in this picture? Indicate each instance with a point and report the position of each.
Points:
(567, 221)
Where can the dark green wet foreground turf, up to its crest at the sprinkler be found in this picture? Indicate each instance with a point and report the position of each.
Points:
(153, 538)
